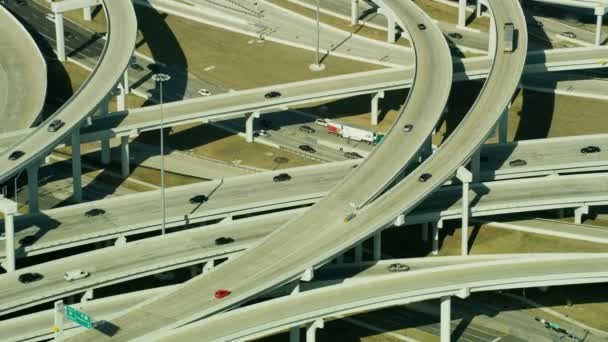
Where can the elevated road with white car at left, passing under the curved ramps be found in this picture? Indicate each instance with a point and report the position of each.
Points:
(178, 250)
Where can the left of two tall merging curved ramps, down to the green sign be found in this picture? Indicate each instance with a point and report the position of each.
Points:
(263, 267)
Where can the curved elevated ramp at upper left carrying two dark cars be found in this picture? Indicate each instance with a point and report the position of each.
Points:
(117, 53)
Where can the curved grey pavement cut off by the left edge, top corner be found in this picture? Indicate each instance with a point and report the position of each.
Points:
(22, 75)
